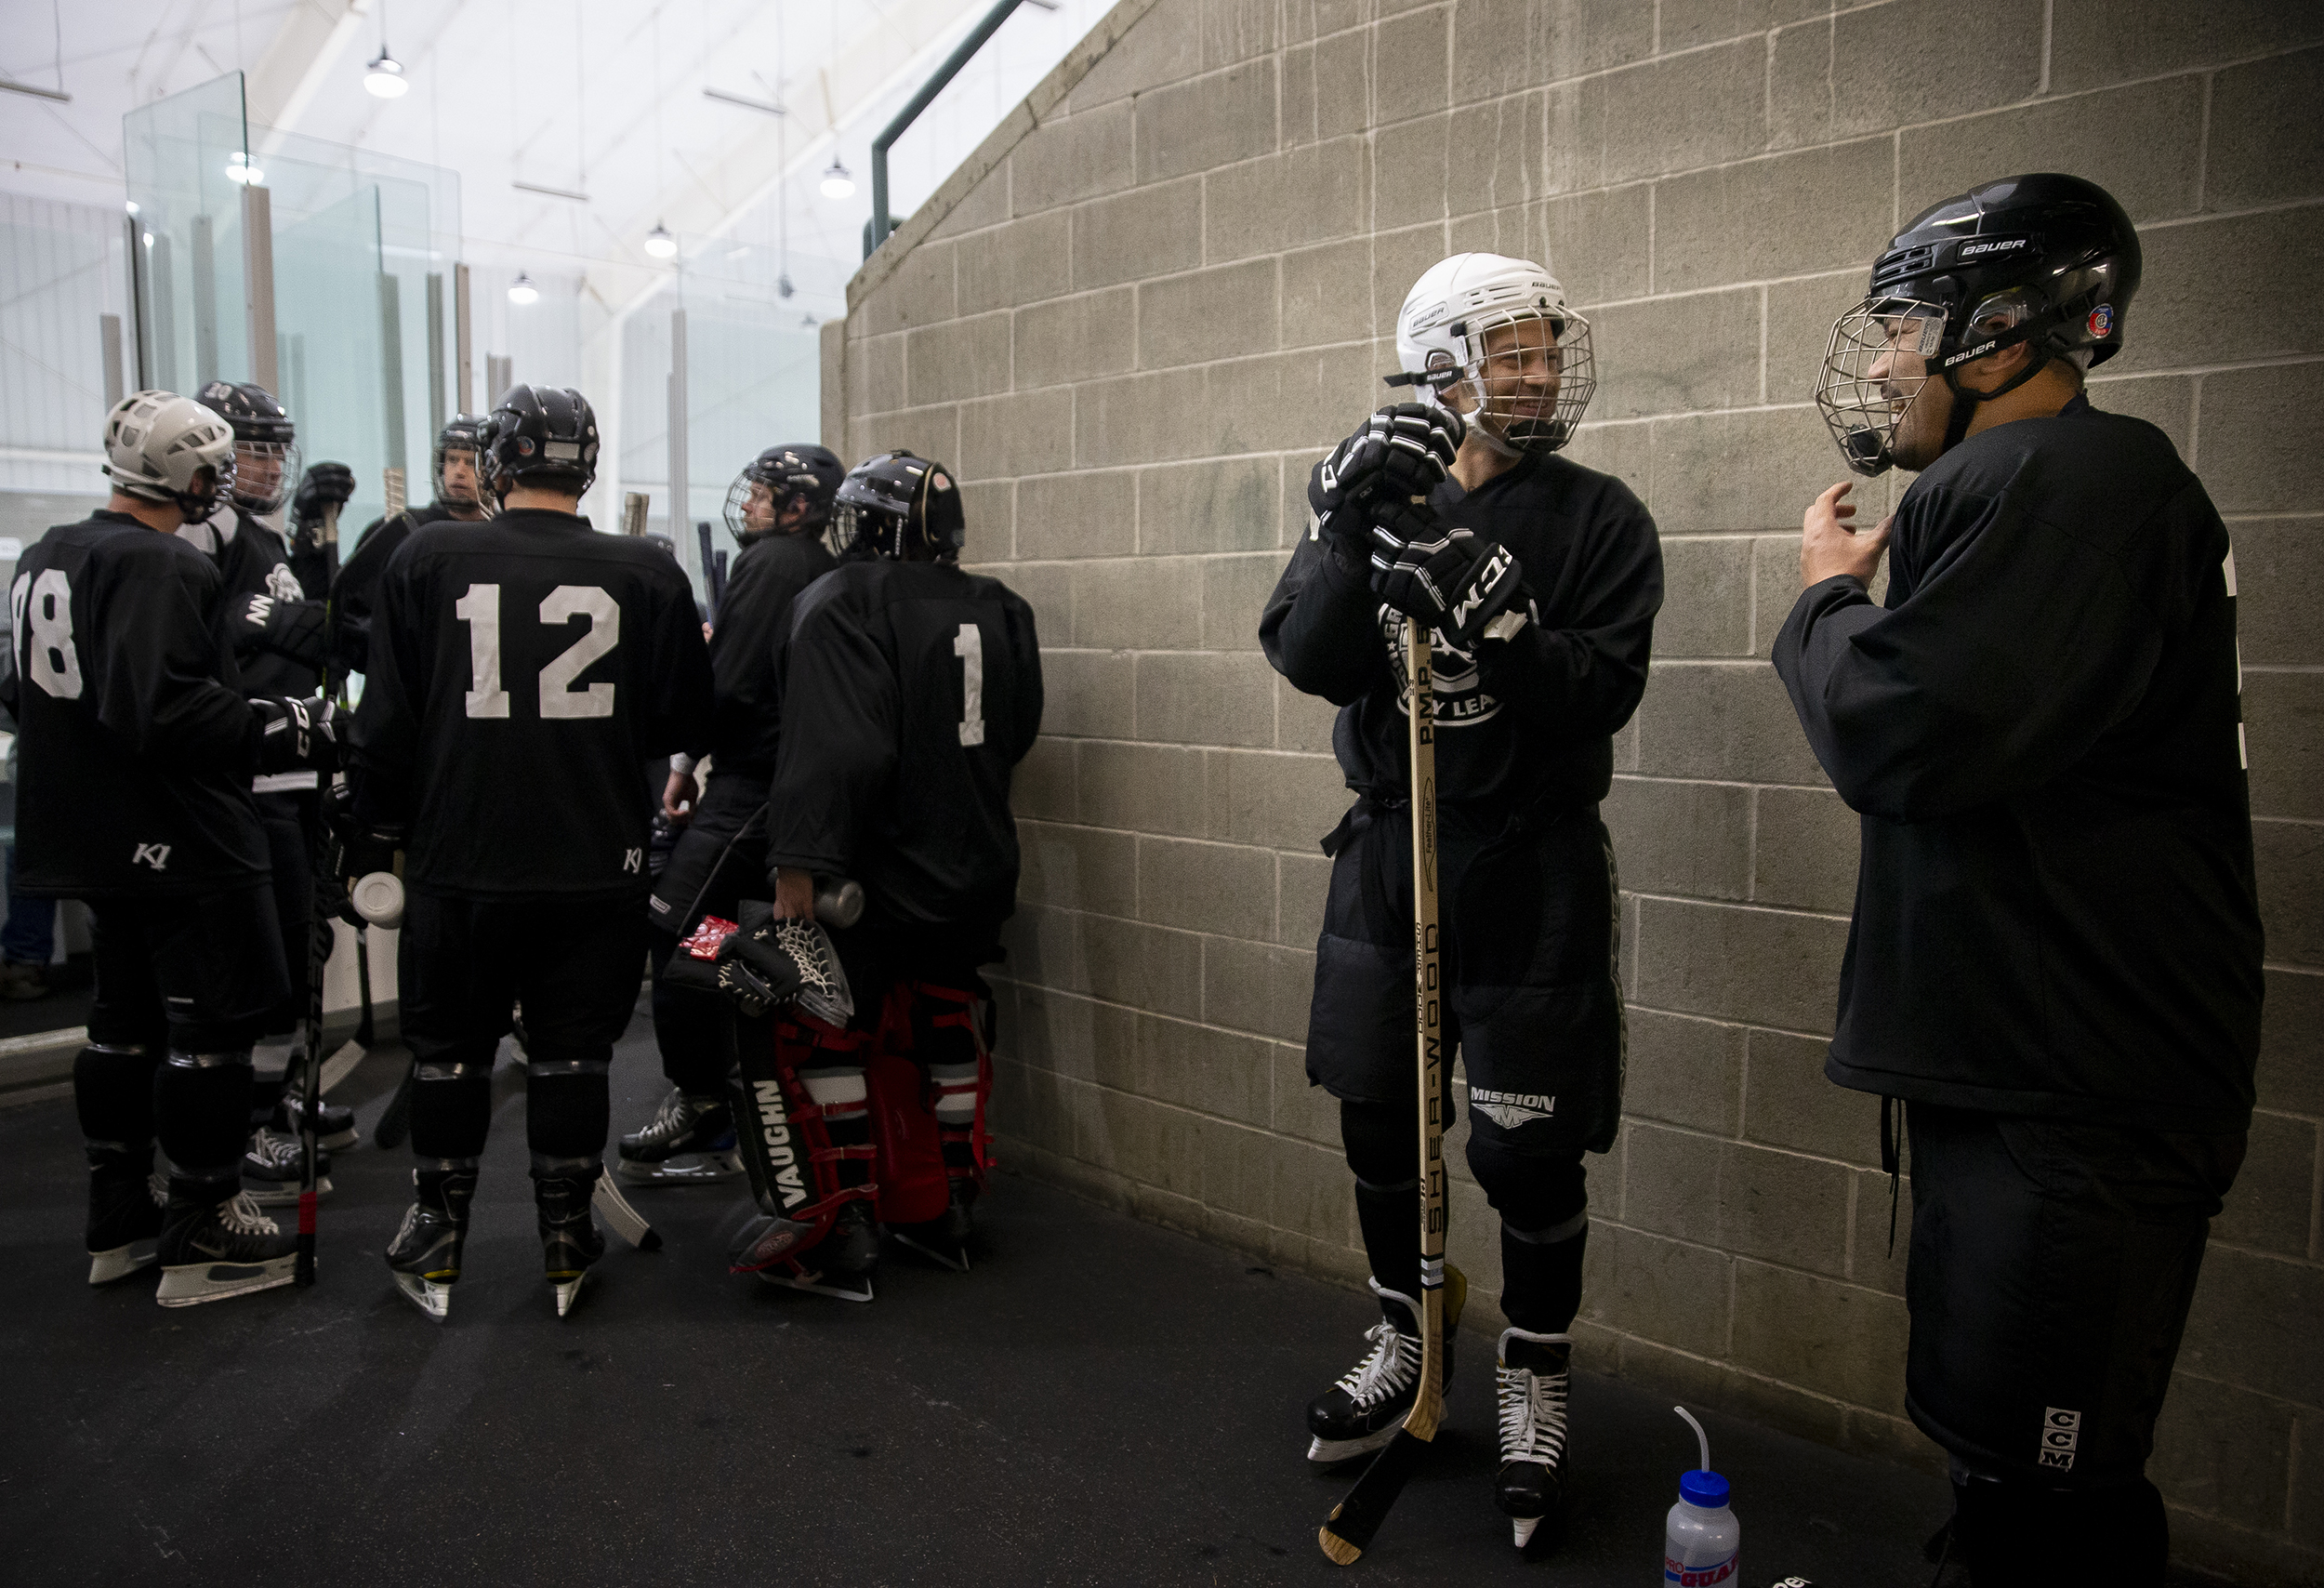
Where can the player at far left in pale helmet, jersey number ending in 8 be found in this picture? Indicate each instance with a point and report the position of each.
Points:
(138, 754)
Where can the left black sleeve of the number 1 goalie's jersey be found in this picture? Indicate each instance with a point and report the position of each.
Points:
(842, 713)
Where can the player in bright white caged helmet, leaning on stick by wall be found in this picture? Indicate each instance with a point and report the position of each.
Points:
(1540, 580)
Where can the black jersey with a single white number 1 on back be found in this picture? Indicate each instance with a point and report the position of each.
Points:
(910, 694)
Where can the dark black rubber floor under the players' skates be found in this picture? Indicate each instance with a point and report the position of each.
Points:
(1096, 1403)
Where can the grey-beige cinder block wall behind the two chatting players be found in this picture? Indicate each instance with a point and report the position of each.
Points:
(1170, 280)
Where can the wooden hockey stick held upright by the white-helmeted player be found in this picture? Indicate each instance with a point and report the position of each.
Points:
(1361, 1515)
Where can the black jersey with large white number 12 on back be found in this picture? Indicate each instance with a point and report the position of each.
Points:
(522, 671)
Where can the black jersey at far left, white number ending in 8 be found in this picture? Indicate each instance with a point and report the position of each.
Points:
(136, 741)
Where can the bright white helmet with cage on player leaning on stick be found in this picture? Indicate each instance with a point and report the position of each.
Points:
(1442, 329)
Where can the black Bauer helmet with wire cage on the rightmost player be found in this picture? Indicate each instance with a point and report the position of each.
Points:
(2042, 259)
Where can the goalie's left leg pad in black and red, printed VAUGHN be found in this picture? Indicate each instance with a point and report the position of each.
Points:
(798, 1173)
